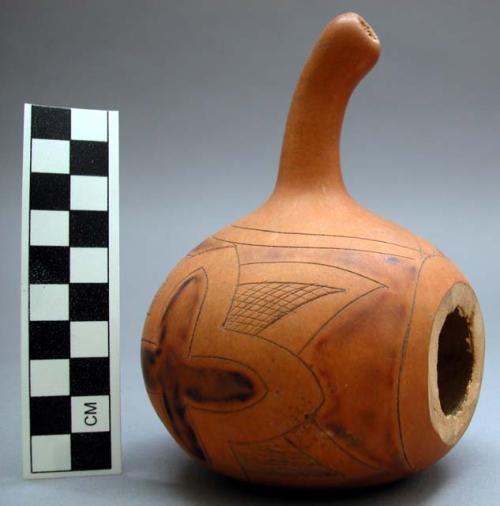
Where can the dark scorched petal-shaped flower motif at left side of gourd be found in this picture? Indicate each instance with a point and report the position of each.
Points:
(184, 381)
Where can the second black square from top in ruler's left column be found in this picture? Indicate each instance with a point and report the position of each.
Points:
(50, 191)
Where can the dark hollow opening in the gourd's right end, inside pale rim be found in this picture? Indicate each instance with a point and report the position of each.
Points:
(455, 361)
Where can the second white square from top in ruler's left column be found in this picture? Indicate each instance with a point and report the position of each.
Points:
(49, 228)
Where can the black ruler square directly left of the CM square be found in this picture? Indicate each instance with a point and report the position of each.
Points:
(50, 415)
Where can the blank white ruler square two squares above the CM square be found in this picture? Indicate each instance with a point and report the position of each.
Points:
(89, 339)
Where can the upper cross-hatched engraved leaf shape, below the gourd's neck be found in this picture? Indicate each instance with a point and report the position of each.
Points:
(258, 305)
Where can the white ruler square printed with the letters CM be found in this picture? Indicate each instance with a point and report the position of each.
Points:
(90, 413)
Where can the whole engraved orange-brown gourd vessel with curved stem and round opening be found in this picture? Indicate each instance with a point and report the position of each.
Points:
(313, 343)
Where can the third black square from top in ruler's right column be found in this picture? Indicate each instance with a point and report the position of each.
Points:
(88, 301)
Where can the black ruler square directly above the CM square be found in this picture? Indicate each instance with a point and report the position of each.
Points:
(89, 376)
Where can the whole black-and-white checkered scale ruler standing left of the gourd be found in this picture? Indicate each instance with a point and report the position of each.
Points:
(70, 293)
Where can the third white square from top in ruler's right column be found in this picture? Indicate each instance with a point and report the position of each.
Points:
(88, 265)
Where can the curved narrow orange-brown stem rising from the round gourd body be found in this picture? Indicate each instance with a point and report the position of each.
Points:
(345, 51)
